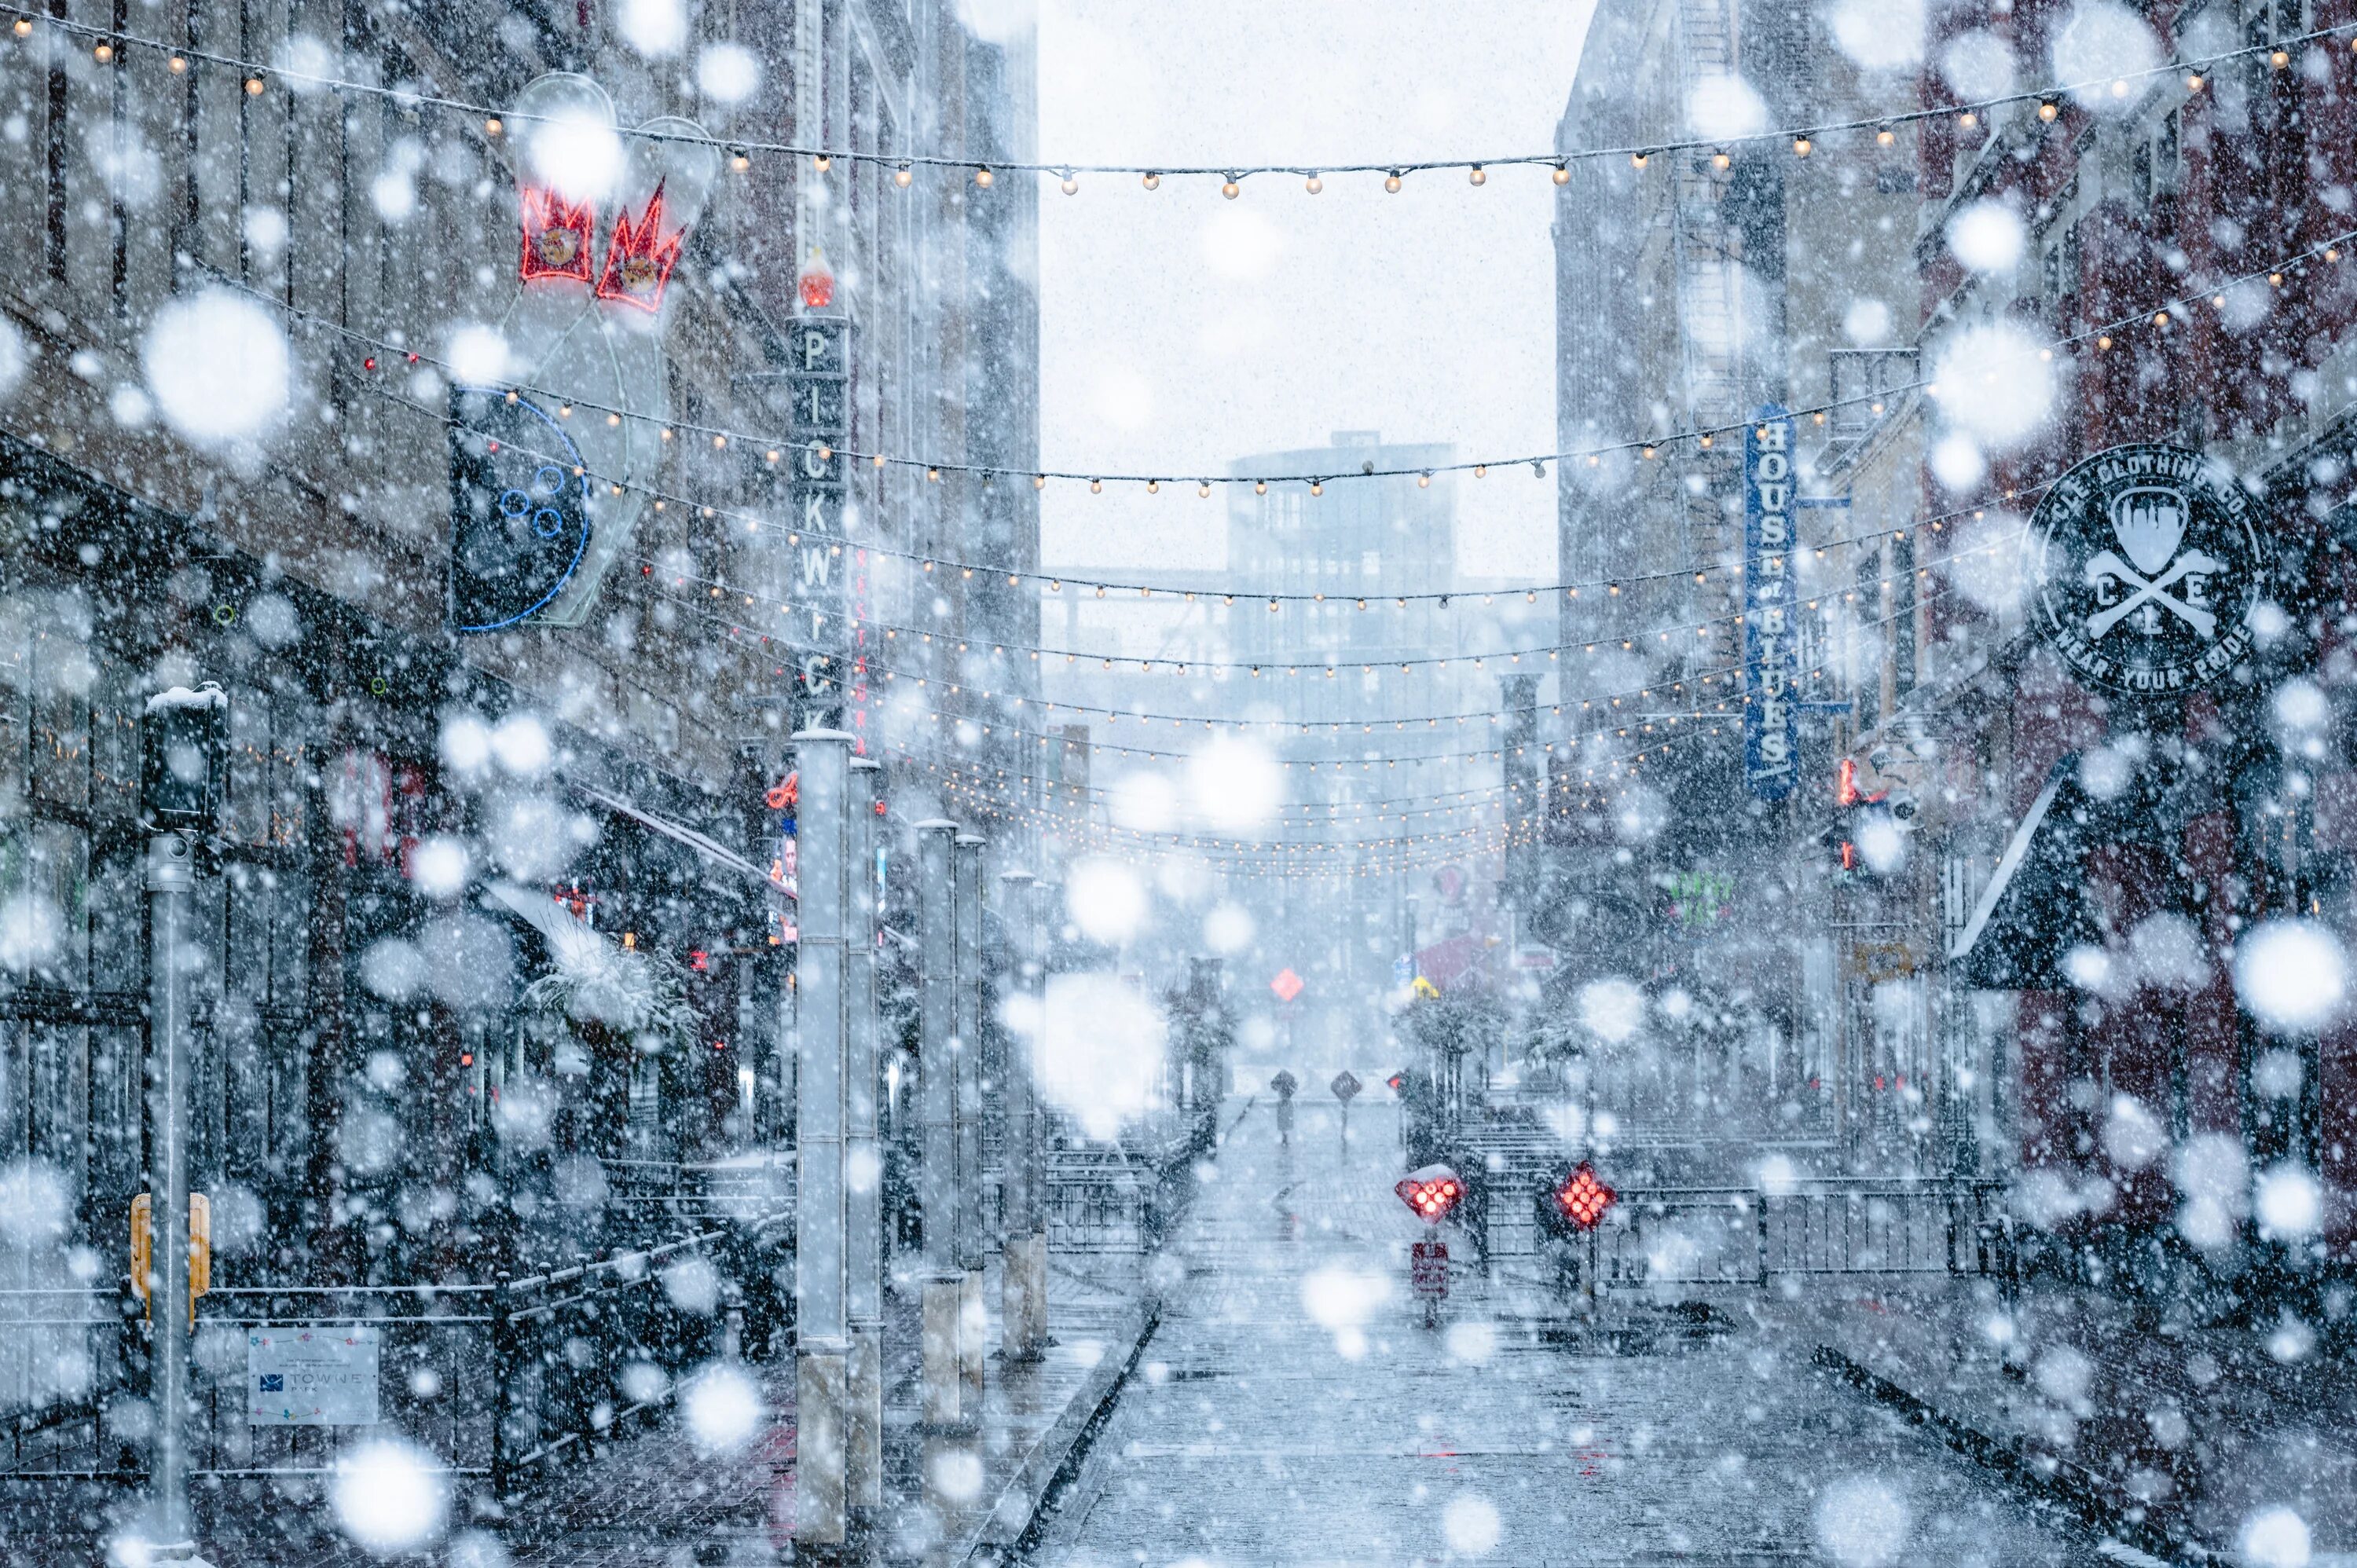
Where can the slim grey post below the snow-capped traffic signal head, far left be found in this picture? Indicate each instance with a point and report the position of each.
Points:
(171, 878)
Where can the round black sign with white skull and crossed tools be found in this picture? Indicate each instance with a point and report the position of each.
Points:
(2146, 565)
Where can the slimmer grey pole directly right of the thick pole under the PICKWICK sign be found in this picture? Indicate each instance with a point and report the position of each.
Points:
(864, 1159)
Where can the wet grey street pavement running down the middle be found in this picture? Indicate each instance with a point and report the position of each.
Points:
(1293, 1409)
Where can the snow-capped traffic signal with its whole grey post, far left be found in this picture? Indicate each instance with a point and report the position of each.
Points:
(183, 756)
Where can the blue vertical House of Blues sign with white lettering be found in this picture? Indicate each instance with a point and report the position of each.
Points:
(1771, 645)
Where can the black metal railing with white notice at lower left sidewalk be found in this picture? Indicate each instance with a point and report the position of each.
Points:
(489, 1378)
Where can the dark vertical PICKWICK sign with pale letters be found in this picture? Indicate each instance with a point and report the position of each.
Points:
(819, 404)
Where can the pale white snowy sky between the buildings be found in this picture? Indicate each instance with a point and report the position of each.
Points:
(1182, 331)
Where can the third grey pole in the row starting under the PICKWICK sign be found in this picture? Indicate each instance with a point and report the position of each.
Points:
(937, 1067)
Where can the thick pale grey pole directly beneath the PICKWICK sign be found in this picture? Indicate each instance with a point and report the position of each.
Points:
(821, 1326)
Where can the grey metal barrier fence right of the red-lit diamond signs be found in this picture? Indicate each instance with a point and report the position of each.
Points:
(1745, 1237)
